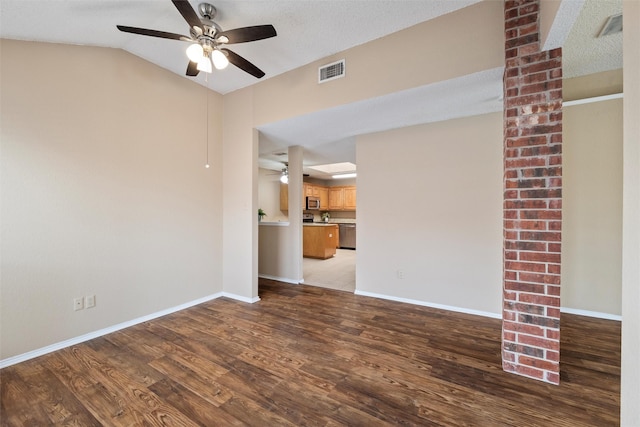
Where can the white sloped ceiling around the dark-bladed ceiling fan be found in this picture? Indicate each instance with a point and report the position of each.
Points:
(307, 30)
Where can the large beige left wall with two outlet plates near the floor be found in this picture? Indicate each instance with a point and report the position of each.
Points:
(104, 191)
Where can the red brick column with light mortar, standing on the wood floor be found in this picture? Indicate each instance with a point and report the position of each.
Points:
(532, 197)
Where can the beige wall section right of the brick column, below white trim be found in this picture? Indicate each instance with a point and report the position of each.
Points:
(592, 207)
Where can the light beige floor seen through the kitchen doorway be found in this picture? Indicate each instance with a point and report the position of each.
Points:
(338, 272)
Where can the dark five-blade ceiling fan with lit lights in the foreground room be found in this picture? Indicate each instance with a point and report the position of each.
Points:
(208, 39)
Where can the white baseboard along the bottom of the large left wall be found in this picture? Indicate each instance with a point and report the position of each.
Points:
(86, 337)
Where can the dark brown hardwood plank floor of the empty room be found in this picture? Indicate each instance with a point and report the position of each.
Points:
(311, 356)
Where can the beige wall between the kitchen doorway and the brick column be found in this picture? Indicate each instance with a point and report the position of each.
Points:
(430, 206)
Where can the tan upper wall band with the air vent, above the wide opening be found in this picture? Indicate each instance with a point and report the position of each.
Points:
(399, 61)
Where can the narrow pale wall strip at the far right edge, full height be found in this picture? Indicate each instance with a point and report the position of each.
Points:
(630, 378)
